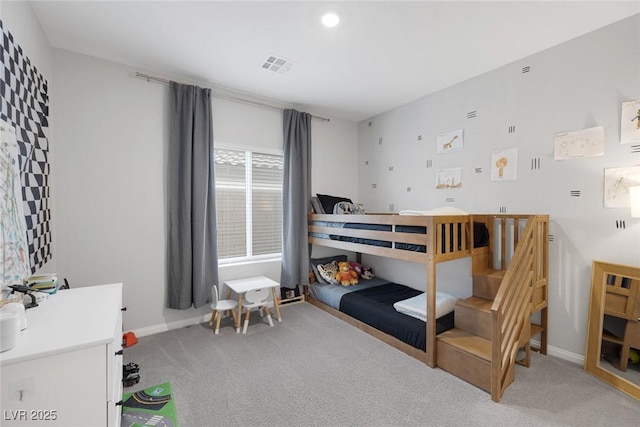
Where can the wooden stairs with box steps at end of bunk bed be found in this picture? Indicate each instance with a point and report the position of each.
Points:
(466, 351)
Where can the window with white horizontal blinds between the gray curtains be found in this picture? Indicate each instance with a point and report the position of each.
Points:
(248, 204)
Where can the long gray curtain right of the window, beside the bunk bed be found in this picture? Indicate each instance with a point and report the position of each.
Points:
(296, 194)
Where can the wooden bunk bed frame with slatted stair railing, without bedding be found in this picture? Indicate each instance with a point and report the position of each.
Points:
(522, 291)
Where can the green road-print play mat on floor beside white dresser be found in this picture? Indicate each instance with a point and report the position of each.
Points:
(151, 406)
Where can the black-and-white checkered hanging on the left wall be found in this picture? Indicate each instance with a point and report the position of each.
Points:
(25, 106)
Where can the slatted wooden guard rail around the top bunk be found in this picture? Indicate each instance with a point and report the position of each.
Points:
(416, 238)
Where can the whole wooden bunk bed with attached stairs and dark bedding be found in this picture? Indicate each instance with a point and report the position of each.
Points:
(511, 248)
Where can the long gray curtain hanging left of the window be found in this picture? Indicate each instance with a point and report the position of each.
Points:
(192, 258)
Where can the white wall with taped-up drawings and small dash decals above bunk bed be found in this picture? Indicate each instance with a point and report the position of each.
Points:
(573, 86)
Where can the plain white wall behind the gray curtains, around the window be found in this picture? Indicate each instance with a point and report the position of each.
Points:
(110, 161)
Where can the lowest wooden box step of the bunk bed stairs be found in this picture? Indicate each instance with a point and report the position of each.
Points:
(466, 356)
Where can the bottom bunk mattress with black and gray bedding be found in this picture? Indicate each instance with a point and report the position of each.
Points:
(373, 304)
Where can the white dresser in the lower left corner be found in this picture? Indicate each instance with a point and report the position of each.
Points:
(66, 368)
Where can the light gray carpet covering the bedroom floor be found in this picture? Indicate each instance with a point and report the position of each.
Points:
(315, 370)
